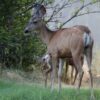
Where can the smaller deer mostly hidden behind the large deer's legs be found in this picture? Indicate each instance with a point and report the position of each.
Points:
(47, 68)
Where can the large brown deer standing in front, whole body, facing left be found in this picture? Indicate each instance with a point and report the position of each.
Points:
(63, 43)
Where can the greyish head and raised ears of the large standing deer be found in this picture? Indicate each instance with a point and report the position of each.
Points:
(36, 18)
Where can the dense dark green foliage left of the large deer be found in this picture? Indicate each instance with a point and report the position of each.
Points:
(16, 49)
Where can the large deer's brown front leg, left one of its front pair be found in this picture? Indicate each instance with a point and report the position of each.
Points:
(53, 72)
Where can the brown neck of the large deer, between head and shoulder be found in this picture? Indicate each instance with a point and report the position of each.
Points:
(46, 34)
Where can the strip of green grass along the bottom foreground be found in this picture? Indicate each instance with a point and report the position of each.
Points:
(19, 91)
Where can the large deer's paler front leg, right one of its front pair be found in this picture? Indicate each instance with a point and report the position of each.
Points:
(61, 63)
